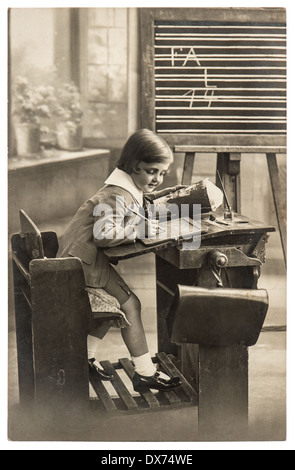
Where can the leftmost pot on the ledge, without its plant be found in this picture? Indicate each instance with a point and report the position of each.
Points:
(27, 139)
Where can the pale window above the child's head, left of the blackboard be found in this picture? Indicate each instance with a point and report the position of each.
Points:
(104, 74)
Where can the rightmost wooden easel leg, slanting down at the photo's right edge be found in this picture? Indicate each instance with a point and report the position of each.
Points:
(278, 200)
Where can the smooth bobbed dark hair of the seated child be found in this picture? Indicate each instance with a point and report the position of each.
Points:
(143, 146)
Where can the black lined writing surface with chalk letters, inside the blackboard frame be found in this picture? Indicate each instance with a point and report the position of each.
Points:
(221, 78)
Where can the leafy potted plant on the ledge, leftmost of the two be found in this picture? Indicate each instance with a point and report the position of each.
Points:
(29, 106)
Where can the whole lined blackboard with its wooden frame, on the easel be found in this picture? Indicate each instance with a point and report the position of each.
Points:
(215, 73)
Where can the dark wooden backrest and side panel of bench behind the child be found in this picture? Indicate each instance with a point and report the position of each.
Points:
(52, 319)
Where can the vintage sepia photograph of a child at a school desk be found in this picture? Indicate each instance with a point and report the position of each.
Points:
(147, 212)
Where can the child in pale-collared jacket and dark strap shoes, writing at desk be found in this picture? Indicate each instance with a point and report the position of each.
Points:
(144, 161)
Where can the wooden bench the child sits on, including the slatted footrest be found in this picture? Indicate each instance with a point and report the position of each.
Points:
(53, 318)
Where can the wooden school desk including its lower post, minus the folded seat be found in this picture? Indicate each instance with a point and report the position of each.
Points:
(243, 245)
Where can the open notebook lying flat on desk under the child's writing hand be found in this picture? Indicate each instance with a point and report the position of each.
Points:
(179, 229)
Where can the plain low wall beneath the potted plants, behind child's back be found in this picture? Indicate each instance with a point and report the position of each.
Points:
(54, 191)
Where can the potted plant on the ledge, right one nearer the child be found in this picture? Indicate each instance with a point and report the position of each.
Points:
(69, 113)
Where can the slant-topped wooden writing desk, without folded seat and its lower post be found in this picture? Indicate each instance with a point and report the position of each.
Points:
(242, 243)
